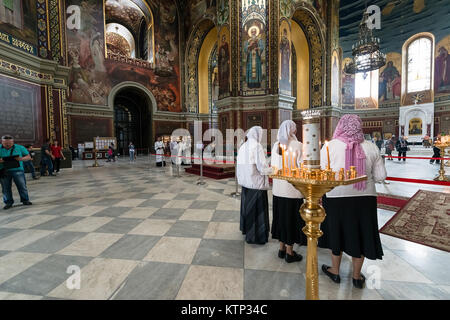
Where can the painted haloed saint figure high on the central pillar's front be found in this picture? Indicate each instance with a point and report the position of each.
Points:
(253, 49)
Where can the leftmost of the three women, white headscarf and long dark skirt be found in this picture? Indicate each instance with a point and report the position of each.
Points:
(252, 173)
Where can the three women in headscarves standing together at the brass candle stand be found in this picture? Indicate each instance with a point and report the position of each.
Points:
(351, 223)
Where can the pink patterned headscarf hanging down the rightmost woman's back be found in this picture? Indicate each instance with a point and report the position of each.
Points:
(349, 130)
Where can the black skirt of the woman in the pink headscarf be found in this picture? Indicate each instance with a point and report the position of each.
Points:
(351, 226)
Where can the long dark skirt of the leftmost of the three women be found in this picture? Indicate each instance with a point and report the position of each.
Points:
(254, 222)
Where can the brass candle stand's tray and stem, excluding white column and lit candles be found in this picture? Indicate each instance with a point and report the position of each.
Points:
(313, 184)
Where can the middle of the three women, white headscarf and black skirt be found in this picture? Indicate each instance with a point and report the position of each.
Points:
(287, 223)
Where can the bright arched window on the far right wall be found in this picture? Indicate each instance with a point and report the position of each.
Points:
(419, 59)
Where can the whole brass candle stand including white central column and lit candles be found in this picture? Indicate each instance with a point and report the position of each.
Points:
(313, 183)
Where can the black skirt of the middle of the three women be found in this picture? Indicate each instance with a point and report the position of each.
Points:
(287, 224)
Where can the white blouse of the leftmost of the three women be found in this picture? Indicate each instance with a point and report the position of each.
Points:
(252, 169)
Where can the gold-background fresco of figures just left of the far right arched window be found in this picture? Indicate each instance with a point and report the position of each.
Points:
(390, 85)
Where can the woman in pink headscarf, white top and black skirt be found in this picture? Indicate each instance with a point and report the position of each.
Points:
(351, 224)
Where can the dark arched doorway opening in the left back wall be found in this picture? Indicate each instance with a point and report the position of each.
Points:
(132, 119)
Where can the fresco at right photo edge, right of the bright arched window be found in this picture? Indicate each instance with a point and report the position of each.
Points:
(442, 66)
